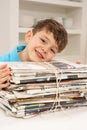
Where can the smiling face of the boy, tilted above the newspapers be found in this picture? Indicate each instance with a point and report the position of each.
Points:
(41, 47)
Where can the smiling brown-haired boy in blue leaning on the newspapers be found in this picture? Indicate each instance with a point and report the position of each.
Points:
(44, 41)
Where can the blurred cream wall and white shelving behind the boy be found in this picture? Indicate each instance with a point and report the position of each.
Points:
(18, 16)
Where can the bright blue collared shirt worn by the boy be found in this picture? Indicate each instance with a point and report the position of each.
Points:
(13, 55)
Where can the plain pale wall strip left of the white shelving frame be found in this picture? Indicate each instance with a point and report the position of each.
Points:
(4, 26)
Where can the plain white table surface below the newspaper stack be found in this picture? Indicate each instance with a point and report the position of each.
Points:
(72, 119)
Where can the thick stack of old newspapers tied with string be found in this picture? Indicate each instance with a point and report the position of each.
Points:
(38, 87)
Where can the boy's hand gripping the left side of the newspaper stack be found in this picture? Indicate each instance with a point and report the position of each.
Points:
(4, 76)
